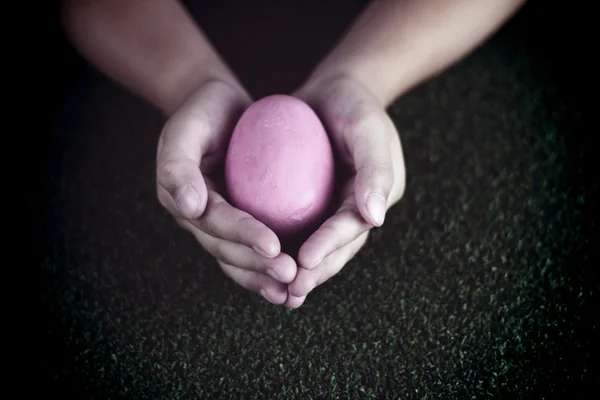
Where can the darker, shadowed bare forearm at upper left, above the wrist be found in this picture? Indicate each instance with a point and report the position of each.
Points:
(151, 47)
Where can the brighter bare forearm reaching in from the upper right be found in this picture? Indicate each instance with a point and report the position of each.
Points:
(395, 45)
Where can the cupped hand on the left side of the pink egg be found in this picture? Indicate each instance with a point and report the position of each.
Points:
(193, 143)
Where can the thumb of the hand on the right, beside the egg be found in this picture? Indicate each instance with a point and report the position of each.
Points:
(370, 146)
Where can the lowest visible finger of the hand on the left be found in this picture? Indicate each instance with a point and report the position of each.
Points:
(275, 292)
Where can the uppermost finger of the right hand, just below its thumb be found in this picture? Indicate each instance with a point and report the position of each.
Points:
(336, 232)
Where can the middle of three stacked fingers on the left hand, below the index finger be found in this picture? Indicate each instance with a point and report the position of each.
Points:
(282, 268)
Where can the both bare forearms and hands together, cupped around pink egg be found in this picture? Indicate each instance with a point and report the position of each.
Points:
(155, 49)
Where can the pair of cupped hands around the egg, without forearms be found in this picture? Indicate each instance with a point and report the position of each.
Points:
(193, 144)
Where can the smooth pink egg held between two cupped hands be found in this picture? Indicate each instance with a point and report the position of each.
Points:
(280, 165)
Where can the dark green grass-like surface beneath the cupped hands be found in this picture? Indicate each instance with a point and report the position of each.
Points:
(480, 284)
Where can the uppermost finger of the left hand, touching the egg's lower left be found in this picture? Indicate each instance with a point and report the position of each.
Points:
(223, 221)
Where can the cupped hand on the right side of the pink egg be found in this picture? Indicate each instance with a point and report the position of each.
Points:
(367, 142)
